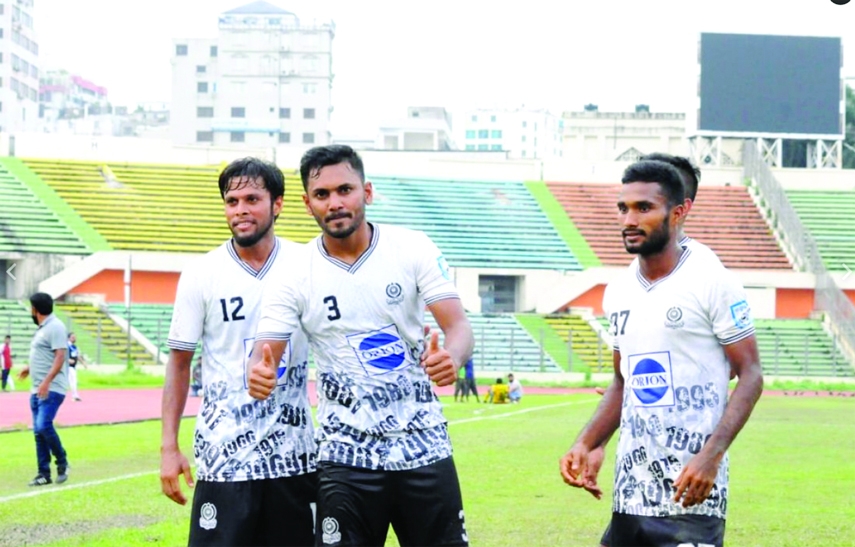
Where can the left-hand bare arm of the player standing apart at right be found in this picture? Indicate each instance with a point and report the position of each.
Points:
(580, 465)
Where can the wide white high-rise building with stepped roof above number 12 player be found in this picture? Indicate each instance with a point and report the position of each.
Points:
(264, 81)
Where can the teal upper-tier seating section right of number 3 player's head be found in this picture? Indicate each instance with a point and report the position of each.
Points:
(475, 224)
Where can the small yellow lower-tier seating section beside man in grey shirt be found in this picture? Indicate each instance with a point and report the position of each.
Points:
(99, 326)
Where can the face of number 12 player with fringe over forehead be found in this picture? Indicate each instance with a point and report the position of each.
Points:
(249, 210)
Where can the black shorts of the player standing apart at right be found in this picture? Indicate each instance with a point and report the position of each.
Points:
(677, 531)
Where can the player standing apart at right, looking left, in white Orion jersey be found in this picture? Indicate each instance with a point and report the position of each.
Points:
(680, 323)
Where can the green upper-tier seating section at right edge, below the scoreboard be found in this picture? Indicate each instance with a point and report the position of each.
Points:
(827, 215)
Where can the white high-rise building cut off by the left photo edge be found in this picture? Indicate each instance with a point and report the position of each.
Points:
(19, 73)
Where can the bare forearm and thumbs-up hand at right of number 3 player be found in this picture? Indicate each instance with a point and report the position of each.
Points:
(442, 364)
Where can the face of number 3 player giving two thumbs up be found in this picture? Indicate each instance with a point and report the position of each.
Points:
(336, 197)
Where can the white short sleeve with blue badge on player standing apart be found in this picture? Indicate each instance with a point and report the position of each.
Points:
(730, 313)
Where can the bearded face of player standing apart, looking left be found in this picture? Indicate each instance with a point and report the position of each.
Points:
(646, 219)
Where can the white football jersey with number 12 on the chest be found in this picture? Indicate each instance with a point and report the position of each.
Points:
(237, 437)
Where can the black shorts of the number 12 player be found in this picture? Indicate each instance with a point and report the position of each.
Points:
(255, 513)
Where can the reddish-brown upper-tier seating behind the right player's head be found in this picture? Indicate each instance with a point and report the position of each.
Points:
(724, 218)
